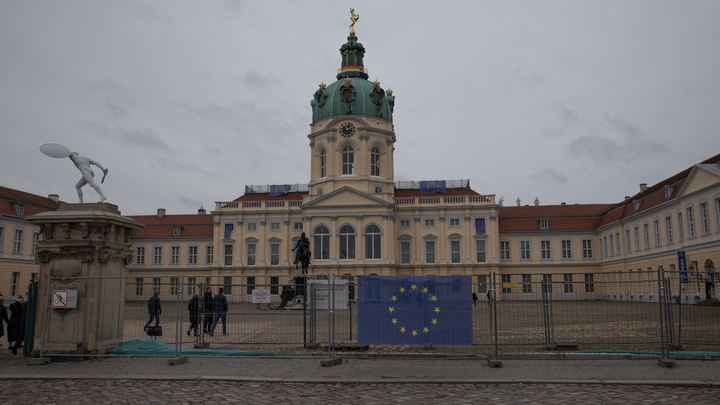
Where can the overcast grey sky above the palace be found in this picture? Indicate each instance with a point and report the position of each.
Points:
(186, 102)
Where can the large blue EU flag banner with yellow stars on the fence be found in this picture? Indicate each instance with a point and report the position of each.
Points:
(429, 310)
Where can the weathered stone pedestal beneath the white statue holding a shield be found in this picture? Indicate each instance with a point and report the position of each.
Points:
(88, 246)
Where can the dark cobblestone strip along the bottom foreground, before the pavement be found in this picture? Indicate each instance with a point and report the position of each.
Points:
(229, 392)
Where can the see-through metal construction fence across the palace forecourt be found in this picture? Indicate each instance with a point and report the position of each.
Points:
(599, 315)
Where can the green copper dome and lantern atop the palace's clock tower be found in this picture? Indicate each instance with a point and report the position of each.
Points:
(352, 93)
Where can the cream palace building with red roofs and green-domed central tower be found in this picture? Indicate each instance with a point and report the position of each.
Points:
(361, 221)
